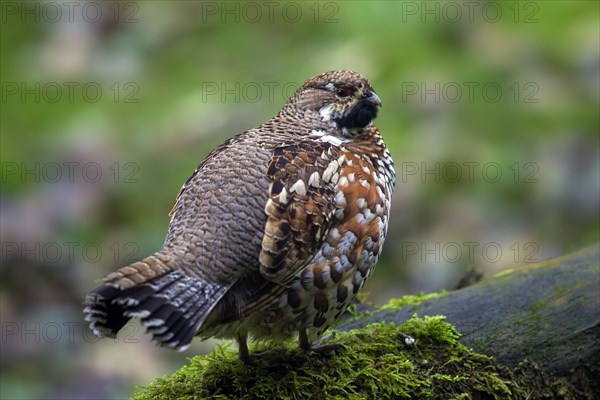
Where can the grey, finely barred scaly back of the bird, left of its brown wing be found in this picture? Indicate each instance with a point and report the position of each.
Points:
(217, 222)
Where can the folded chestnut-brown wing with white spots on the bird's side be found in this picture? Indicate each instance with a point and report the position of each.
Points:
(300, 208)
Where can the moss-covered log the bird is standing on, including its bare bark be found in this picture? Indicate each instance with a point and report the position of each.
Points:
(529, 333)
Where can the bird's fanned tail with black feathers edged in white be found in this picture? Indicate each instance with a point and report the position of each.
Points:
(171, 305)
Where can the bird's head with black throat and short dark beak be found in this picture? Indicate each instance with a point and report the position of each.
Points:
(342, 99)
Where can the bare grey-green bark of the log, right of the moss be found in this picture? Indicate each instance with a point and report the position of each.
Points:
(548, 313)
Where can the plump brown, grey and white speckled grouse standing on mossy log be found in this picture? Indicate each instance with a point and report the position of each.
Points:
(274, 233)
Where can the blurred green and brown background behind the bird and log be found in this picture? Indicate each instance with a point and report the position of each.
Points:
(490, 111)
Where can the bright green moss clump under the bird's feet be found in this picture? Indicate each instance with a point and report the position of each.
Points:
(374, 364)
